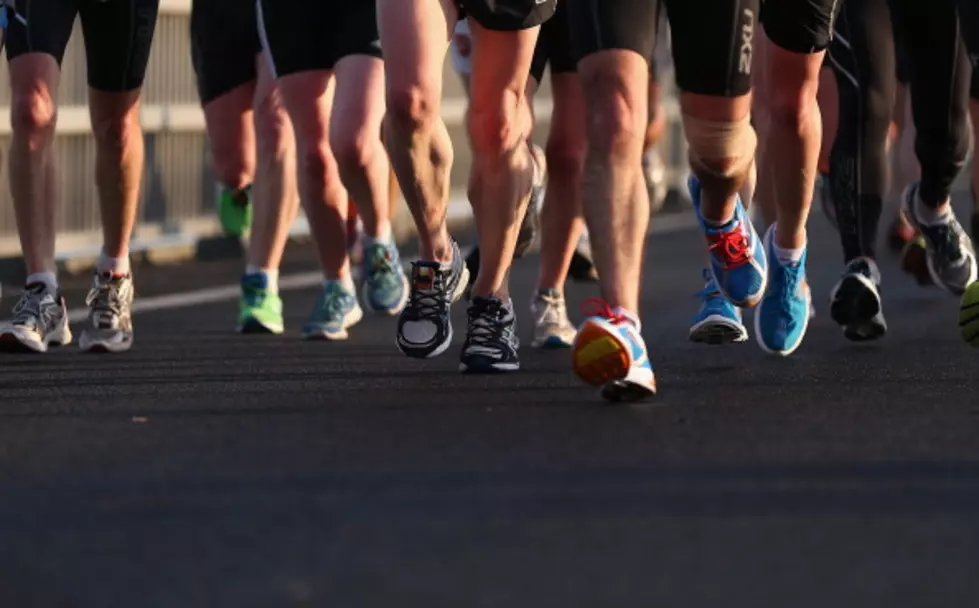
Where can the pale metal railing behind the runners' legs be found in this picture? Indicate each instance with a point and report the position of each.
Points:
(178, 188)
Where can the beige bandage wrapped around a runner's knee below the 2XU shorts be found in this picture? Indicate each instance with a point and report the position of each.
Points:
(721, 153)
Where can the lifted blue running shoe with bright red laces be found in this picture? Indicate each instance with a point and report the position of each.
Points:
(737, 256)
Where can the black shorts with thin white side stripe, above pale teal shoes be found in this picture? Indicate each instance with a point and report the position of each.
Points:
(304, 35)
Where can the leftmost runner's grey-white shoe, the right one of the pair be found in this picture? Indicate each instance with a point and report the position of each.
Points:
(109, 328)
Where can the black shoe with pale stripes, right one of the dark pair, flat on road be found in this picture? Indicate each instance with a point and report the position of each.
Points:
(491, 338)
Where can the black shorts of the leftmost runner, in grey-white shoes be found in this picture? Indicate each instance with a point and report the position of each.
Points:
(117, 35)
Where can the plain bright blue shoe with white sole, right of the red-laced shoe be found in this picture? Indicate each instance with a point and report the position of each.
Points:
(783, 314)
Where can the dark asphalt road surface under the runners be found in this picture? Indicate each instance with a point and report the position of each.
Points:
(207, 469)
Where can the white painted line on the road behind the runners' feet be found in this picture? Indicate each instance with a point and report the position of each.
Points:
(303, 280)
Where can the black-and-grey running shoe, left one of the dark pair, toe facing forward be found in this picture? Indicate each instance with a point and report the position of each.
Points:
(424, 327)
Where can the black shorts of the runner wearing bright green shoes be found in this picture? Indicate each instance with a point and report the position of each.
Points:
(223, 45)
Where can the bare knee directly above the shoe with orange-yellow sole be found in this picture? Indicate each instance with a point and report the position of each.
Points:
(616, 120)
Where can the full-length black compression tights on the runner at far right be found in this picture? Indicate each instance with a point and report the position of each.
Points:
(862, 57)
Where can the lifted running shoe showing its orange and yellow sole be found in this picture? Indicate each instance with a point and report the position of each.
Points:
(609, 352)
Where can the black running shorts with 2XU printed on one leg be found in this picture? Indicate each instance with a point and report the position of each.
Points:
(713, 40)
